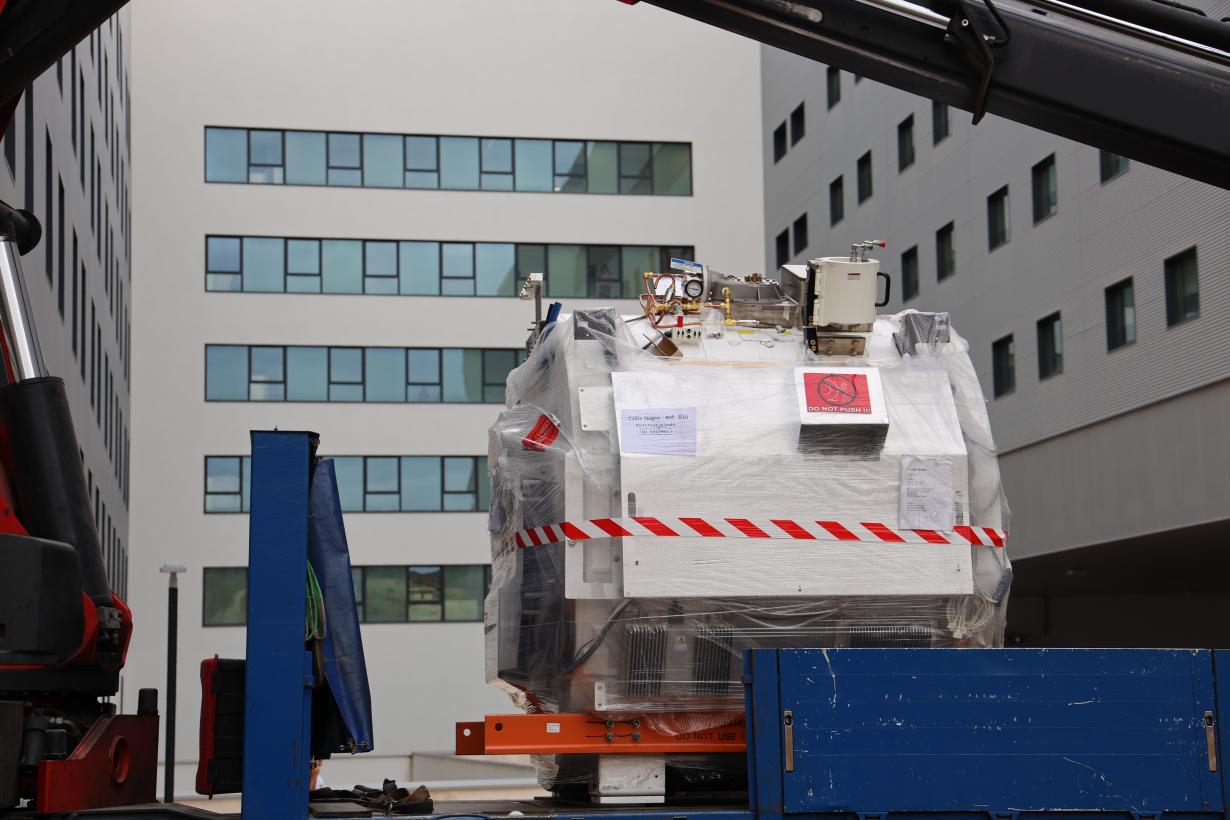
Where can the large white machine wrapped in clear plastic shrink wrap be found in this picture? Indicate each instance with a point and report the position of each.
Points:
(666, 497)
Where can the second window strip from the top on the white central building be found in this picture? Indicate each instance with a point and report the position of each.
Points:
(420, 269)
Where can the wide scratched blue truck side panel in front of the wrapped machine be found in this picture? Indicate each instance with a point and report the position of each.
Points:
(879, 731)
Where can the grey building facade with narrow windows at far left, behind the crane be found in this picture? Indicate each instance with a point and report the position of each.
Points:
(67, 159)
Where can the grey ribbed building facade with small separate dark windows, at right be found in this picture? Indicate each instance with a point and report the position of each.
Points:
(1093, 292)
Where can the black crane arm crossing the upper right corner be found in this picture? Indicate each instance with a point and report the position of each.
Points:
(1146, 79)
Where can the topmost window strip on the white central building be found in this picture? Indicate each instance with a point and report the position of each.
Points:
(274, 157)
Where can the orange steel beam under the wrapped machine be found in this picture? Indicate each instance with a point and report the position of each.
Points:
(589, 735)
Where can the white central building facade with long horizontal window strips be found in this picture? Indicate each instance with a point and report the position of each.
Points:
(336, 206)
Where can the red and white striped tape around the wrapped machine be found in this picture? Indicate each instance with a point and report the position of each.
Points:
(734, 528)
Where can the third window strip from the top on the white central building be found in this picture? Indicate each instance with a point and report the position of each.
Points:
(319, 374)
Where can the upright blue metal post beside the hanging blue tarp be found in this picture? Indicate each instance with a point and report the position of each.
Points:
(277, 716)
